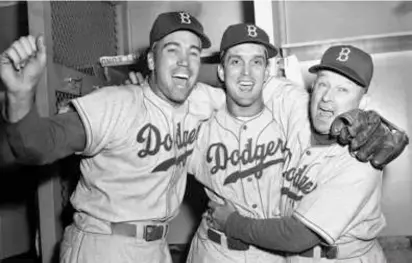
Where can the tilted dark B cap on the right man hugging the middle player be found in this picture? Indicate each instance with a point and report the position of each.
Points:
(349, 61)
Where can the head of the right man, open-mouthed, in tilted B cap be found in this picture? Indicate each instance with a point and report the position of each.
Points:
(338, 89)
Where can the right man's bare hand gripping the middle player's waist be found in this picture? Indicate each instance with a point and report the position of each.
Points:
(220, 213)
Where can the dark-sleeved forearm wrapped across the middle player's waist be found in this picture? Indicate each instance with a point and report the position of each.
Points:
(285, 234)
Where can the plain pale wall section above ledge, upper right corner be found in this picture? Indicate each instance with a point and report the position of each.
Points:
(340, 19)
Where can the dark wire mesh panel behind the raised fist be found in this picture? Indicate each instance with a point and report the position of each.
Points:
(82, 32)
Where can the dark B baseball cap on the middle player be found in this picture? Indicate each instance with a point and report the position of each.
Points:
(246, 33)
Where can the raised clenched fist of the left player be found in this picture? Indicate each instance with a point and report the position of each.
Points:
(22, 65)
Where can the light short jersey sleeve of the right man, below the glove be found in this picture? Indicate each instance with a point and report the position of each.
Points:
(332, 206)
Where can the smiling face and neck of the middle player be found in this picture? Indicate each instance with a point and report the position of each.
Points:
(244, 71)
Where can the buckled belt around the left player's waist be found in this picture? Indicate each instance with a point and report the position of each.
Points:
(147, 232)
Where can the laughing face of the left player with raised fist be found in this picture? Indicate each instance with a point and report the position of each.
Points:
(175, 62)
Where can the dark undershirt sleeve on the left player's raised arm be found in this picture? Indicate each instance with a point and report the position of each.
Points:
(38, 141)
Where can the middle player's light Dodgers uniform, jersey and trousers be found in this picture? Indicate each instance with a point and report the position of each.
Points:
(242, 161)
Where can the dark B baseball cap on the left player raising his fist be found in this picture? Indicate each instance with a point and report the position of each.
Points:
(170, 22)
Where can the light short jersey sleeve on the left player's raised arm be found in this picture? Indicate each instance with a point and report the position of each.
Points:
(104, 114)
